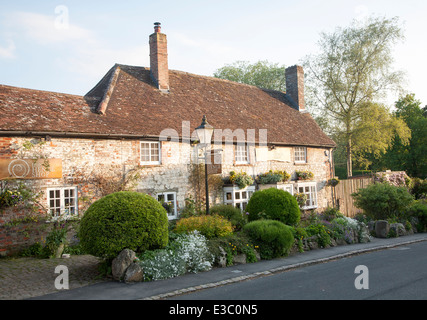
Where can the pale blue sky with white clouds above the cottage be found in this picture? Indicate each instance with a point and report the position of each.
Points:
(69, 45)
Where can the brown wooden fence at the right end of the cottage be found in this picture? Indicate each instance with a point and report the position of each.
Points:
(343, 191)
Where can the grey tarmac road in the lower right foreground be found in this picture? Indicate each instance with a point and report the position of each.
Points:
(395, 273)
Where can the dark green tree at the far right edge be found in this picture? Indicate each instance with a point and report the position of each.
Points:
(411, 157)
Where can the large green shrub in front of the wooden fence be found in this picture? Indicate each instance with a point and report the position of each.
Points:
(381, 201)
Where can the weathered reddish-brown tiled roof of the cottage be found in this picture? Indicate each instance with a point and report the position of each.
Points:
(135, 107)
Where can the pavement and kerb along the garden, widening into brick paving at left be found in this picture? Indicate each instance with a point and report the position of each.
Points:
(28, 278)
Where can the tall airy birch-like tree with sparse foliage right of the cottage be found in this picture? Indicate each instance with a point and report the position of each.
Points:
(353, 69)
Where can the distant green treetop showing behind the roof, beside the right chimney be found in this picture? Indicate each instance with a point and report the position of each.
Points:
(261, 74)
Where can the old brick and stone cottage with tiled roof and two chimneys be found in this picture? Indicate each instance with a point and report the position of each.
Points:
(140, 122)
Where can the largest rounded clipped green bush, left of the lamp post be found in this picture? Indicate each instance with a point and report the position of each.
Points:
(123, 220)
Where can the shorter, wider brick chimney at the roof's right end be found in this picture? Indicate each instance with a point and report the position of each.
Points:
(295, 86)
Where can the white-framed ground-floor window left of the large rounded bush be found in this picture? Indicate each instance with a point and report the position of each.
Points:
(61, 199)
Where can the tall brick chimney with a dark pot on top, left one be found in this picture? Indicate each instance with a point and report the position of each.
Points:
(159, 58)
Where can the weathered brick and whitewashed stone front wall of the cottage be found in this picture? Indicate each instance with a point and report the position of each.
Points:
(86, 161)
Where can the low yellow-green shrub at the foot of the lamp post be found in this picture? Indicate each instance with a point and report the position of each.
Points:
(210, 226)
